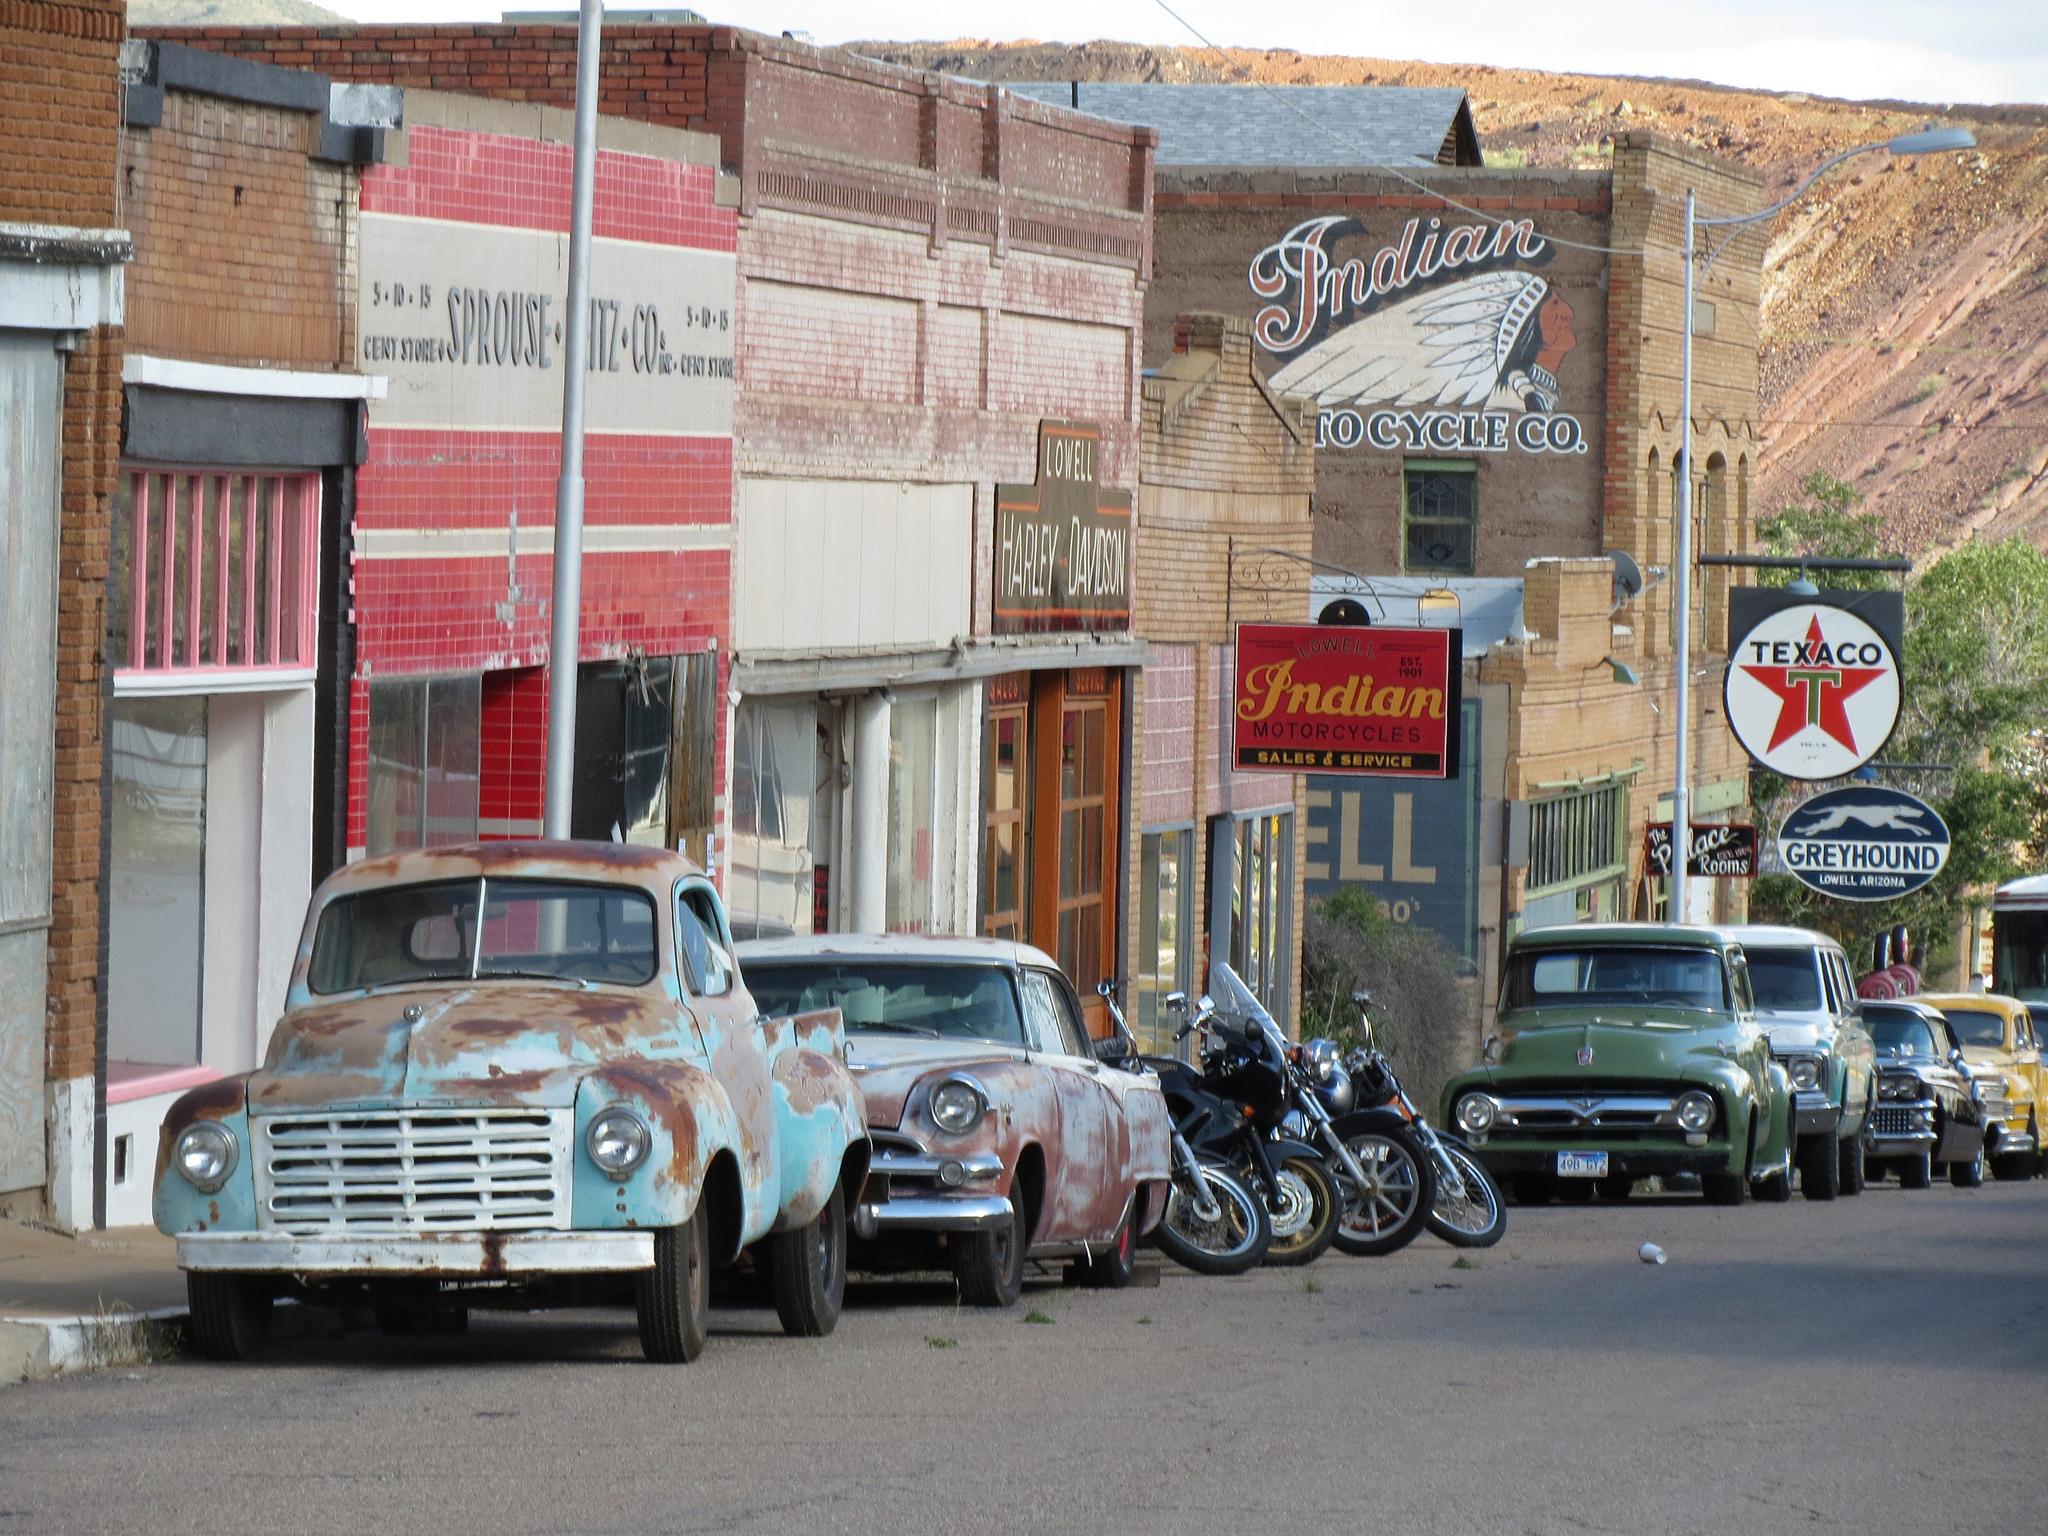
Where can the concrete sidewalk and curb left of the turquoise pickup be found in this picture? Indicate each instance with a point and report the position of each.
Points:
(75, 1304)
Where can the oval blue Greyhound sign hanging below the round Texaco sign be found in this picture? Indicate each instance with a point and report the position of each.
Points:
(1865, 843)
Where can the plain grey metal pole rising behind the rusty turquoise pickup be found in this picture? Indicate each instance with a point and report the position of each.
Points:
(564, 640)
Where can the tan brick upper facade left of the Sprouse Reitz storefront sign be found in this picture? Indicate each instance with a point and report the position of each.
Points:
(245, 247)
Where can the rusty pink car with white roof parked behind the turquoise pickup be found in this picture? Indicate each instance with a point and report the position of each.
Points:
(998, 1134)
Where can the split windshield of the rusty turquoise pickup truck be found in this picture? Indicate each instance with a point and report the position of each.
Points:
(531, 929)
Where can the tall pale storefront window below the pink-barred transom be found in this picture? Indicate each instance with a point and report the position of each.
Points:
(157, 869)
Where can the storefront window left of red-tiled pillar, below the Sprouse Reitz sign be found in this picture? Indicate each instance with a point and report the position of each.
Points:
(425, 751)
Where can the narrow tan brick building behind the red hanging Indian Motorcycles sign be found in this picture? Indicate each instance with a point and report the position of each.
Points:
(1224, 538)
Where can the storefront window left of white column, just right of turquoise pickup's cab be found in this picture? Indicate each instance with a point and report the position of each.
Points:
(773, 884)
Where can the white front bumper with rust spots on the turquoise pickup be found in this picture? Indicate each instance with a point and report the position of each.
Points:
(452, 1256)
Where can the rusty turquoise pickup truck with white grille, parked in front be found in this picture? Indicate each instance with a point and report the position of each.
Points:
(517, 1074)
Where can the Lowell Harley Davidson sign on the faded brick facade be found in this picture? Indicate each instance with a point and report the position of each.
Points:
(1064, 544)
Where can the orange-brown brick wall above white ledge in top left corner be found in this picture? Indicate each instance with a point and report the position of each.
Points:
(60, 81)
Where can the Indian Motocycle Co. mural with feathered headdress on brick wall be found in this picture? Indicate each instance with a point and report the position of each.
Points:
(1445, 341)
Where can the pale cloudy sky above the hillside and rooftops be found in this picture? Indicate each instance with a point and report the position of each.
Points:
(1957, 52)
